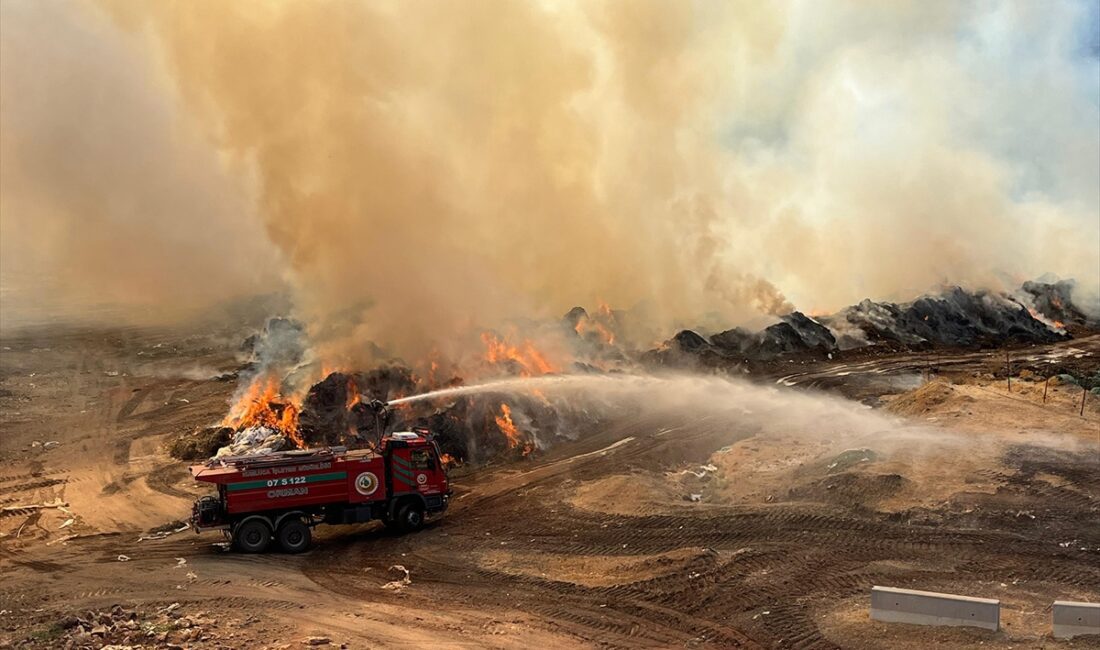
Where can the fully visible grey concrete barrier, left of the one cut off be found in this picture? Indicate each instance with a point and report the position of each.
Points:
(895, 605)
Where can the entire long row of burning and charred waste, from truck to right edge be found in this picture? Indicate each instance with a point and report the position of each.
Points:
(288, 401)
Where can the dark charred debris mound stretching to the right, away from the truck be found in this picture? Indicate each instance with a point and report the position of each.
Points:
(953, 318)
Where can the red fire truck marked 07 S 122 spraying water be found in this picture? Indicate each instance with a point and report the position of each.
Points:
(282, 497)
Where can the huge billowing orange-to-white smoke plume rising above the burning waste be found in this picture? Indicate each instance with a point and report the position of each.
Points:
(430, 170)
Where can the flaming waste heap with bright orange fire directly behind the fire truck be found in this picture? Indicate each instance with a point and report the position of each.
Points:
(271, 413)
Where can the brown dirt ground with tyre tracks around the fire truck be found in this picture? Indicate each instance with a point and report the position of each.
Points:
(662, 530)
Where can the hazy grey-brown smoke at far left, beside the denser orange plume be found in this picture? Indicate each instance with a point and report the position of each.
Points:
(108, 201)
